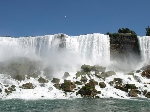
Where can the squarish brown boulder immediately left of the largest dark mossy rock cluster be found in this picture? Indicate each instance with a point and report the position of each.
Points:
(68, 86)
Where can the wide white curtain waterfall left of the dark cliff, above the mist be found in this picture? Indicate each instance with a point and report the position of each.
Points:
(91, 47)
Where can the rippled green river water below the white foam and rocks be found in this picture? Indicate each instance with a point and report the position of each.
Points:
(75, 105)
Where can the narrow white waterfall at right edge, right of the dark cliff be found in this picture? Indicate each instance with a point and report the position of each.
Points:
(144, 42)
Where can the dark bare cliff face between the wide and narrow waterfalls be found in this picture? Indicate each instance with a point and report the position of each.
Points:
(123, 46)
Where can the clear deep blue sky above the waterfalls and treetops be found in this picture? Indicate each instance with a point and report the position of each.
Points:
(72, 17)
